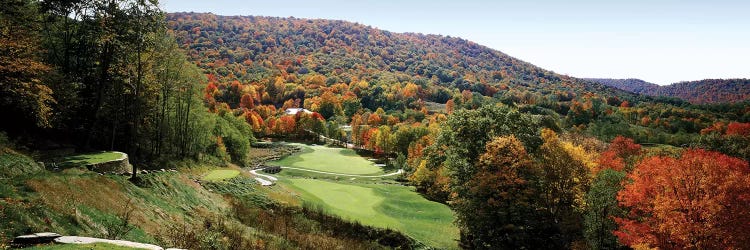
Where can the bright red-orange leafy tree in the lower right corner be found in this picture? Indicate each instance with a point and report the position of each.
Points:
(700, 200)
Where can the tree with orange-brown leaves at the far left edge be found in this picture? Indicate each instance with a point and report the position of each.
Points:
(23, 94)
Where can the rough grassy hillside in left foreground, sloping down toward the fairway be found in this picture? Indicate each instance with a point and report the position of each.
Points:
(185, 208)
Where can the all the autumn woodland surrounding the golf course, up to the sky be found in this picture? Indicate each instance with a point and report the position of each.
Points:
(524, 157)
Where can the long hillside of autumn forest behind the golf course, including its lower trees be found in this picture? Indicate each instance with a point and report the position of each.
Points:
(259, 66)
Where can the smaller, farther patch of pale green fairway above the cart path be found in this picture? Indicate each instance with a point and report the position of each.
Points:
(335, 160)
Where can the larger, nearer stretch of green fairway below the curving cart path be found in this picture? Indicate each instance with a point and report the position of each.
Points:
(389, 206)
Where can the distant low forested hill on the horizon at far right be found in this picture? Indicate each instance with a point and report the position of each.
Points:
(703, 91)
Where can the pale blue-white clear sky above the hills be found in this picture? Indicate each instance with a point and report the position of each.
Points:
(659, 41)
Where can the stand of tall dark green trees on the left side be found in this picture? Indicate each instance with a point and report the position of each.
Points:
(107, 74)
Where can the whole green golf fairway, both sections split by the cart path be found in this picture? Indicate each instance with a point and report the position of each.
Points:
(374, 199)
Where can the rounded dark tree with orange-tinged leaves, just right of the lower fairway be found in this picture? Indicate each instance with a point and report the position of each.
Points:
(497, 211)
